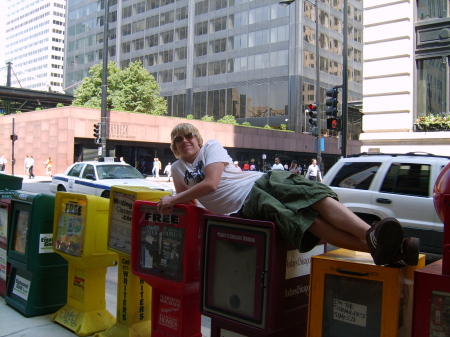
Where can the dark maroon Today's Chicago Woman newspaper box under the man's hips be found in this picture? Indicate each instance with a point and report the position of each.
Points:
(253, 282)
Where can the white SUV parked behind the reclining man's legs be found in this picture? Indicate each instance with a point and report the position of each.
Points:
(392, 185)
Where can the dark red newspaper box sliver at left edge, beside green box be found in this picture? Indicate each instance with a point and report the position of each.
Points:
(5, 204)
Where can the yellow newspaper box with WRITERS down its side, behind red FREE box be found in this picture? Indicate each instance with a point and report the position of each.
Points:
(134, 296)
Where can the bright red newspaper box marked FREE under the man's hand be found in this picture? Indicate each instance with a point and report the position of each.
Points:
(165, 253)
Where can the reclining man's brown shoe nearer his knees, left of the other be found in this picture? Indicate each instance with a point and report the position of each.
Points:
(384, 240)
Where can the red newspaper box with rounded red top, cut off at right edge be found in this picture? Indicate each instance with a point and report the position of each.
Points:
(431, 313)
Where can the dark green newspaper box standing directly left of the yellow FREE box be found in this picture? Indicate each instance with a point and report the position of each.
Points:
(37, 284)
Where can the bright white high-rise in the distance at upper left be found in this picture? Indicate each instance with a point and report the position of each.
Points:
(34, 43)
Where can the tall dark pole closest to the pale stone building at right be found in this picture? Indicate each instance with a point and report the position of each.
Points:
(345, 83)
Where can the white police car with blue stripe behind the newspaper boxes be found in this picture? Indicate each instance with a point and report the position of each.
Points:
(93, 177)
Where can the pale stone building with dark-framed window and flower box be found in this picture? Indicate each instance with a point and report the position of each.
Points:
(406, 76)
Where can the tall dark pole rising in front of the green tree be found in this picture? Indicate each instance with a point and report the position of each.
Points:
(104, 80)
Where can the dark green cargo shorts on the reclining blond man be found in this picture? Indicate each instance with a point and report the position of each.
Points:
(284, 198)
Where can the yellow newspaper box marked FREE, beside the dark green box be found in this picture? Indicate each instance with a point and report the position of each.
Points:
(80, 236)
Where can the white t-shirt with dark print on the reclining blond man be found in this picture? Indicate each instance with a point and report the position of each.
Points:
(234, 185)
